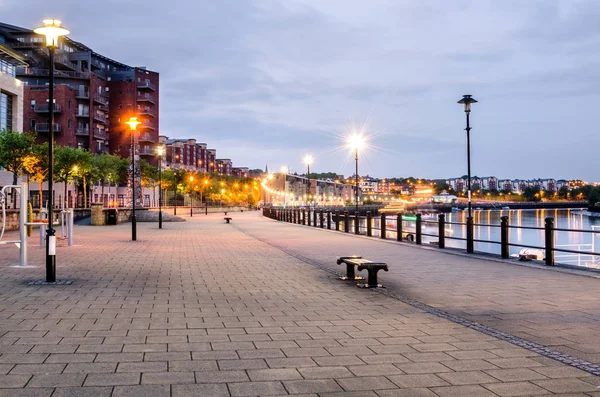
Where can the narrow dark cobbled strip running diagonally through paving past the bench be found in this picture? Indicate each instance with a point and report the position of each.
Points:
(542, 350)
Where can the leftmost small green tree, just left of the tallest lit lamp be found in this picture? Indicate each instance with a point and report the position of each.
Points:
(14, 148)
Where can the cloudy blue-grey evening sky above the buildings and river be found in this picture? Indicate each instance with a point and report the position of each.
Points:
(266, 82)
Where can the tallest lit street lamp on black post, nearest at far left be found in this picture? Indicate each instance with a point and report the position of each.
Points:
(52, 29)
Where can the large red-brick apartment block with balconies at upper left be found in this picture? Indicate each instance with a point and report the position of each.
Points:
(94, 95)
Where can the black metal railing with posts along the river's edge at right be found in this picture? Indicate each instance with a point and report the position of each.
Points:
(413, 228)
